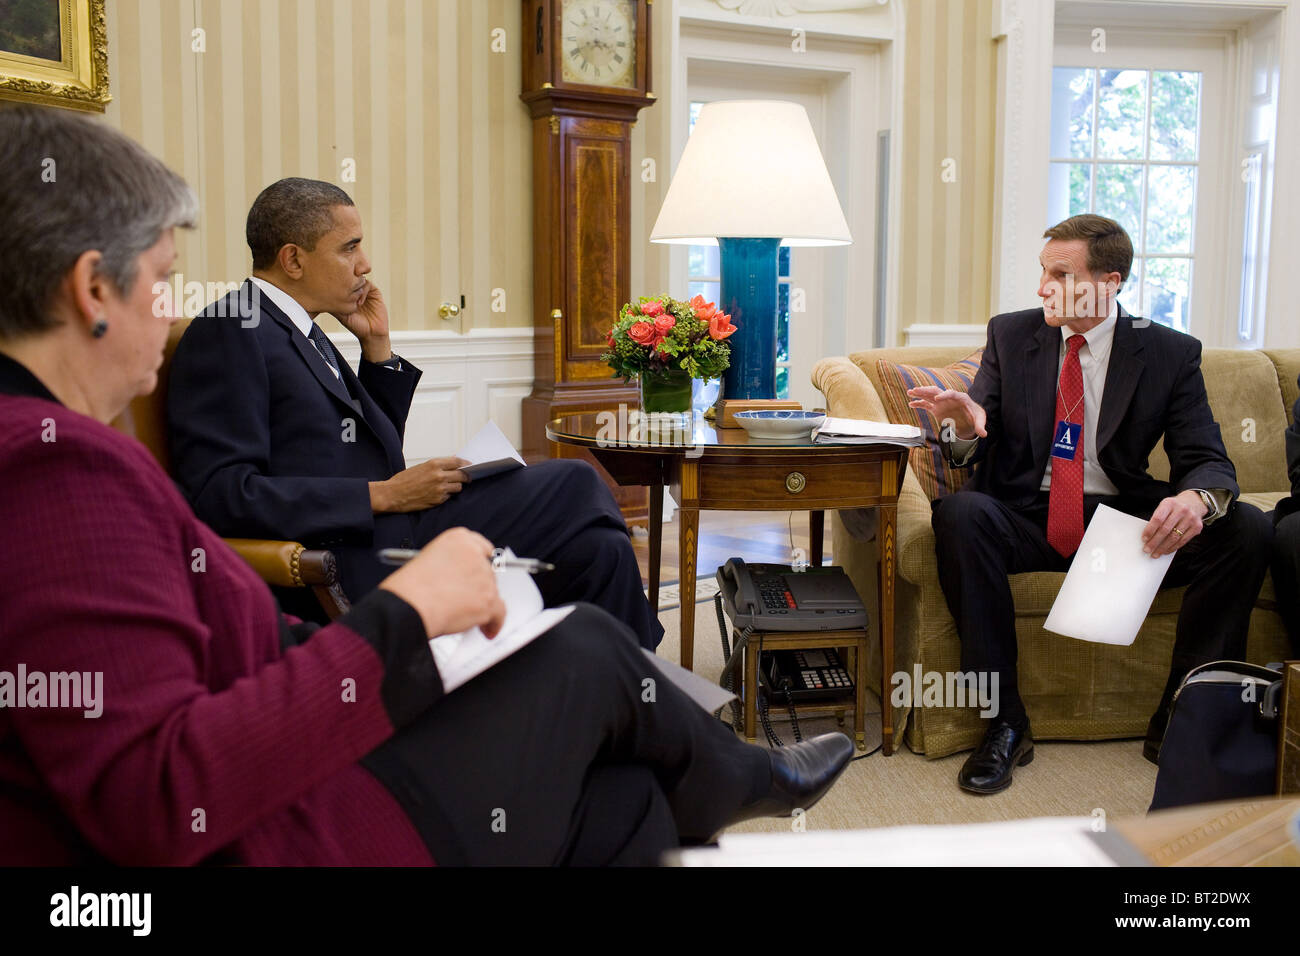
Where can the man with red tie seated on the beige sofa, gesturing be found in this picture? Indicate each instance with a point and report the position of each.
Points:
(1068, 405)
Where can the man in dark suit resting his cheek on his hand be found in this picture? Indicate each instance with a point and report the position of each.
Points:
(274, 436)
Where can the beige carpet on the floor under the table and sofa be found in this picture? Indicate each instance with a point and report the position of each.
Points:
(1107, 780)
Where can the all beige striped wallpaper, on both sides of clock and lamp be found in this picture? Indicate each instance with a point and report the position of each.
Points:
(414, 93)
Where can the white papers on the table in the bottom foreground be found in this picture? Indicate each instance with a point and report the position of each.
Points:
(1043, 842)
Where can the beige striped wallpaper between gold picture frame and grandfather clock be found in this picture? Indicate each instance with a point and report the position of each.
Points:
(411, 90)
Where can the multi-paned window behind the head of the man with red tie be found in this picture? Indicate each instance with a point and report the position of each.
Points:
(1126, 145)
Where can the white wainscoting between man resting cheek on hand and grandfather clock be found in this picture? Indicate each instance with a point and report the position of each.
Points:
(467, 382)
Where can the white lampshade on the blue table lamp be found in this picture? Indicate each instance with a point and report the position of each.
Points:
(752, 170)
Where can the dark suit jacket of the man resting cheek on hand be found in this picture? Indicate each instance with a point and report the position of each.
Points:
(267, 443)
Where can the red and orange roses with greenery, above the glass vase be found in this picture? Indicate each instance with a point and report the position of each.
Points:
(658, 335)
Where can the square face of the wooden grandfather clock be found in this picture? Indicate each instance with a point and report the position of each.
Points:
(599, 42)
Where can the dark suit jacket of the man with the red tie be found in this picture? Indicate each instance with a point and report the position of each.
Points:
(1154, 388)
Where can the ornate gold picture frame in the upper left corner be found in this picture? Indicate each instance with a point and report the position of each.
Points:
(79, 77)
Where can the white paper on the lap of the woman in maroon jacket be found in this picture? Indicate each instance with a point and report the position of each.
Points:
(467, 655)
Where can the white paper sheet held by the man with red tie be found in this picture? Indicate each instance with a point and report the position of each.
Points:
(1111, 583)
